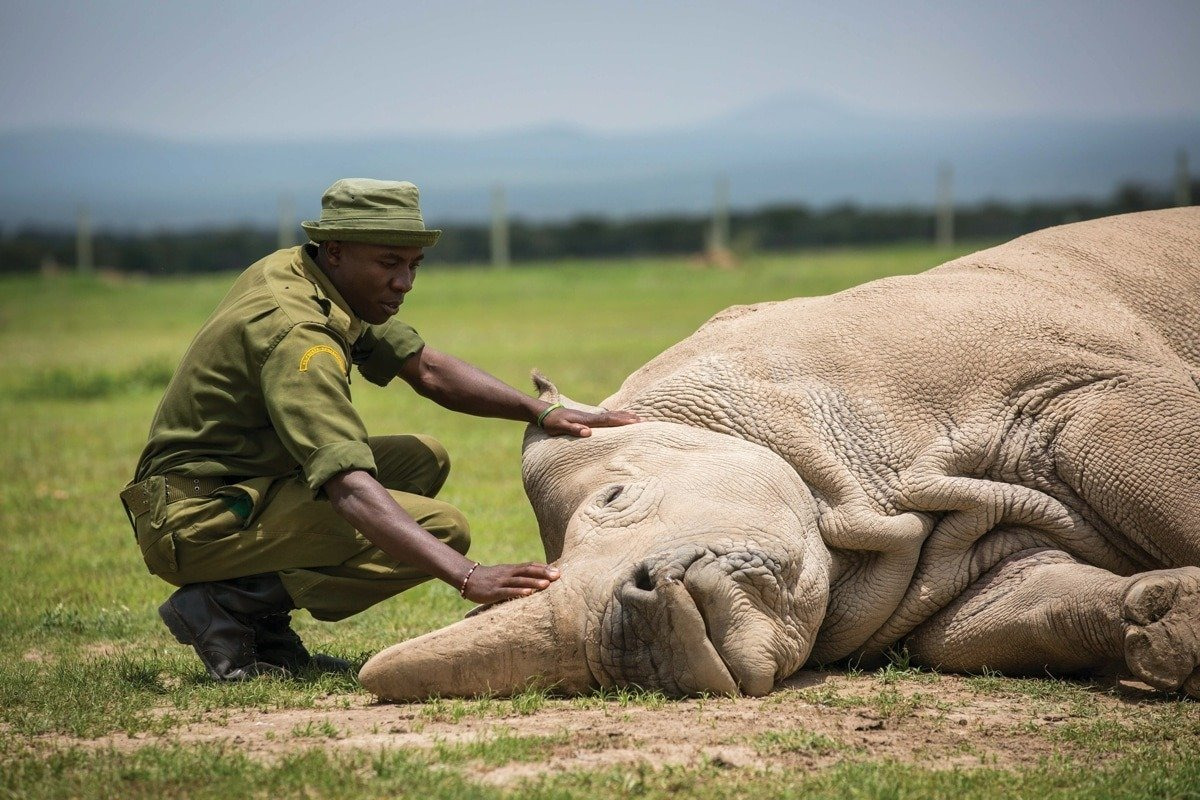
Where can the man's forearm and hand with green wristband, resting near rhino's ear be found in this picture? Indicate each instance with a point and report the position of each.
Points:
(461, 387)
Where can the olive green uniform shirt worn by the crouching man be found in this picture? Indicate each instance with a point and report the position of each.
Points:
(265, 389)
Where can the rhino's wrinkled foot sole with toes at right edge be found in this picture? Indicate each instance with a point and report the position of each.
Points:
(1162, 640)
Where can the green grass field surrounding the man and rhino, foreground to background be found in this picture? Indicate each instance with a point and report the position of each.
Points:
(95, 695)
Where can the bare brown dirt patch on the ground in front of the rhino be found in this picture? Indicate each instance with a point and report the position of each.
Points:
(815, 720)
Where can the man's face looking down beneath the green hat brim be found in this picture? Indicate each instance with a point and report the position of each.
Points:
(373, 279)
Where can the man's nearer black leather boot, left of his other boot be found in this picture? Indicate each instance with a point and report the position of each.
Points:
(218, 621)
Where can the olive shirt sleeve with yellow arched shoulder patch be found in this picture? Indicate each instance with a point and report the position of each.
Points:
(307, 389)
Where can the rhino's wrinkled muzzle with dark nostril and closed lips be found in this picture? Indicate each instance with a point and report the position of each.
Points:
(691, 623)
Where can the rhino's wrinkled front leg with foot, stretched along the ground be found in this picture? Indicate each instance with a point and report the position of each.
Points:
(1043, 612)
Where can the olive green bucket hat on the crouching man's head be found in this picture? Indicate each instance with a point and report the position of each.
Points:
(376, 213)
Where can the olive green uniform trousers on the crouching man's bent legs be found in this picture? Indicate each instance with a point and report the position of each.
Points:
(275, 526)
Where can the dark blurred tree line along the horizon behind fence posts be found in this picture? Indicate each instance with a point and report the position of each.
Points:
(770, 228)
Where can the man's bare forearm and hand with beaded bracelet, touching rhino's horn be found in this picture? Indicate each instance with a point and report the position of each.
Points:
(363, 502)
